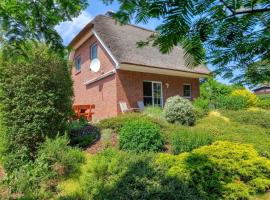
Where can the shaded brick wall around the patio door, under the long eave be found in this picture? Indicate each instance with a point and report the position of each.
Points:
(130, 86)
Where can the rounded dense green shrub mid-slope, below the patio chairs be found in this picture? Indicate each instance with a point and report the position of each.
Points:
(140, 135)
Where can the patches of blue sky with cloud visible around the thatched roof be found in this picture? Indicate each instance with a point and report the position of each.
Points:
(69, 29)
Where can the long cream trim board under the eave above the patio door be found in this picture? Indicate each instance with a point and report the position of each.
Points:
(154, 70)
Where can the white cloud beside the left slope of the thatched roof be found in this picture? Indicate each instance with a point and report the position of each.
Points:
(69, 29)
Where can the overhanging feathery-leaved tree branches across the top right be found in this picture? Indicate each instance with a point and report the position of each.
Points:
(231, 35)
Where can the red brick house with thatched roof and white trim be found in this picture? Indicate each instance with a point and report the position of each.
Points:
(127, 74)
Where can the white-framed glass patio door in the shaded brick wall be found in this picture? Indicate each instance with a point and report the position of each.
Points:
(152, 93)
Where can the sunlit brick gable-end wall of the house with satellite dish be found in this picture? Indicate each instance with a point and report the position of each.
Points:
(101, 93)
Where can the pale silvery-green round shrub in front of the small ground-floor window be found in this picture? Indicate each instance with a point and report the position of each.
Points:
(179, 110)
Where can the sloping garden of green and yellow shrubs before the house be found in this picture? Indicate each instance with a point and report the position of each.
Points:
(203, 150)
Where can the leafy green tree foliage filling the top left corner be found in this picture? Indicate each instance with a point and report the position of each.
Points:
(36, 19)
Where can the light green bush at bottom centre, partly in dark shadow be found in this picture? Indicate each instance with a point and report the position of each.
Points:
(121, 175)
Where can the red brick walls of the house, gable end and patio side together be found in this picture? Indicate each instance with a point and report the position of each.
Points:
(125, 86)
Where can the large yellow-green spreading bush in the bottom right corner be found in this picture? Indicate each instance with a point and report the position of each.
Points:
(223, 170)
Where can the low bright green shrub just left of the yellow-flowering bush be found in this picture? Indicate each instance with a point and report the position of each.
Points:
(231, 102)
